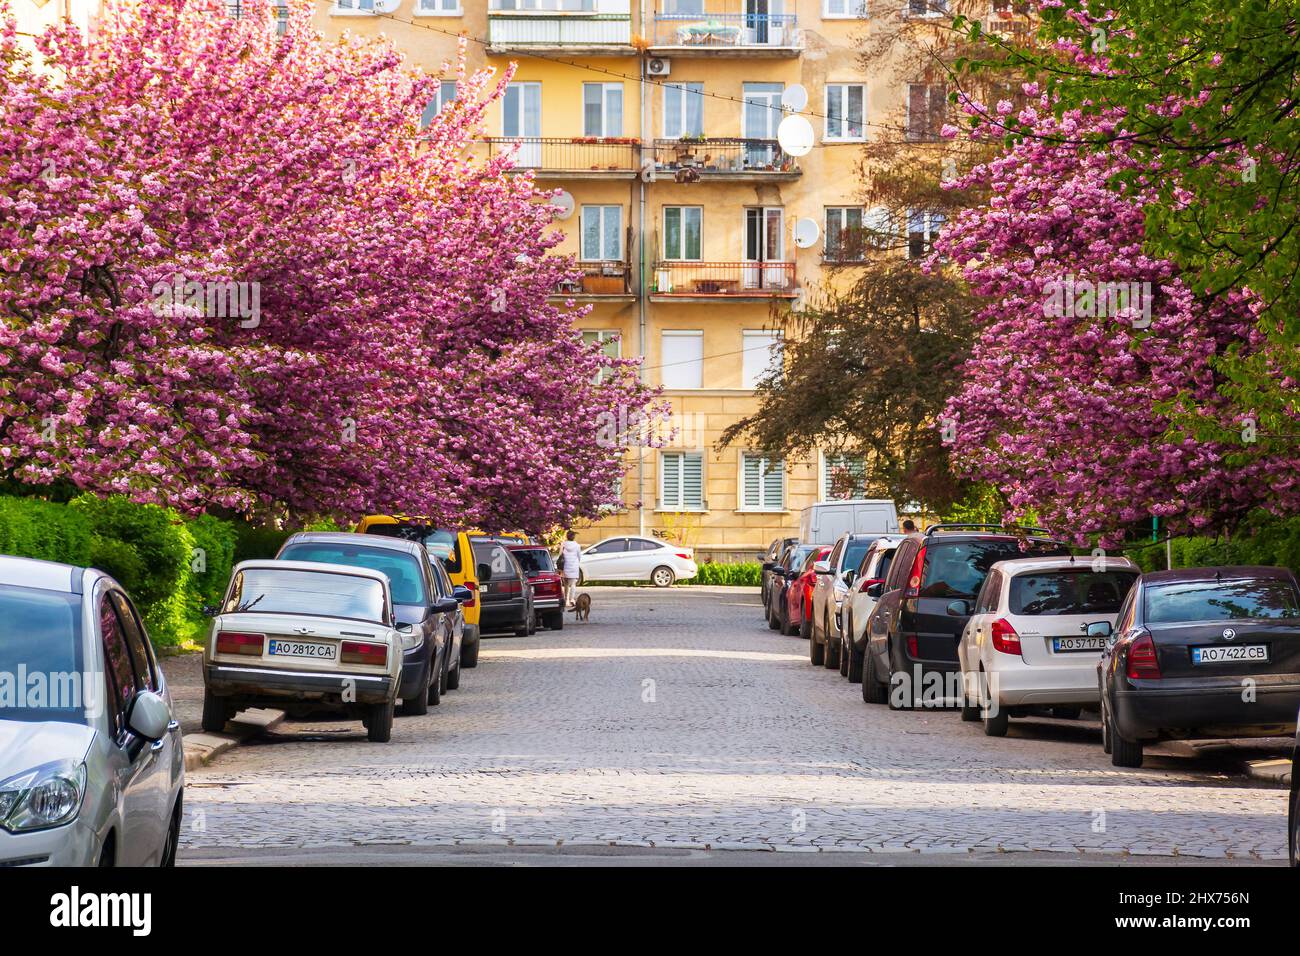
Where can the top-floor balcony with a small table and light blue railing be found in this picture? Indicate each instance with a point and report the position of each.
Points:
(726, 34)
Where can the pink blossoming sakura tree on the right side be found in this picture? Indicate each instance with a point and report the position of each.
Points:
(1090, 348)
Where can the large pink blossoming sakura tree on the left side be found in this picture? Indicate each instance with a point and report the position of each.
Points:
(237, 272)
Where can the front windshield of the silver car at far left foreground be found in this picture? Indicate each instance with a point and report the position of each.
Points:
(41, 657)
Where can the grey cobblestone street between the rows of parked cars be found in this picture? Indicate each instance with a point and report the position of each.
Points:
(677, 719)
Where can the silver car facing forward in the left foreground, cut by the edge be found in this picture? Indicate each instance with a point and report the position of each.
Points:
(93, 775)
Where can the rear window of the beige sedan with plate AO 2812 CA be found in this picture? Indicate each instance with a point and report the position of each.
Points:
(318, 594)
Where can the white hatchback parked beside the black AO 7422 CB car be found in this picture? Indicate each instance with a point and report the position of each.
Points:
(1026, 644)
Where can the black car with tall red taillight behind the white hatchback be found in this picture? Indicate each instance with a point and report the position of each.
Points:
(916, 629)
